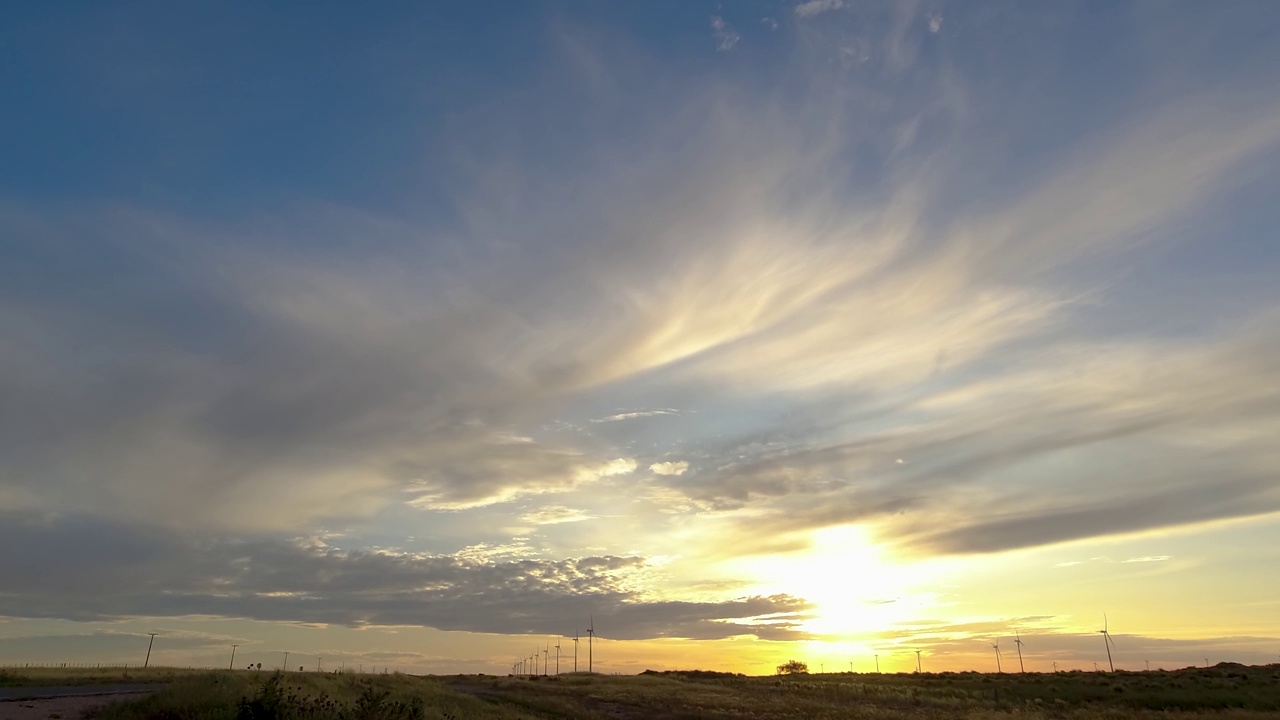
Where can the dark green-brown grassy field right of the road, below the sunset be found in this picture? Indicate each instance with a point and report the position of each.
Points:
(1233, 692)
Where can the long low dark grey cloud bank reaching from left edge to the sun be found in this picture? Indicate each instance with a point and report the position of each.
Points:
(86, 569)
